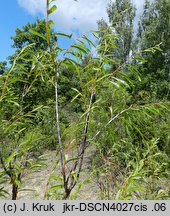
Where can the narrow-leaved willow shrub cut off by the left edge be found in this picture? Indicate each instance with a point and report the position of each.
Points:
(17, 137)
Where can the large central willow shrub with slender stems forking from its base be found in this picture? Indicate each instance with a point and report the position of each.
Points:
(108, 117)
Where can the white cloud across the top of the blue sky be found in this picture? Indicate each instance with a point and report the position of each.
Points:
(70, 15)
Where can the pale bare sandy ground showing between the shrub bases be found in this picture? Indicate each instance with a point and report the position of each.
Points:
(34, 183)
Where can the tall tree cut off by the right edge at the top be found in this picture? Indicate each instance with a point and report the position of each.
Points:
(154, 29)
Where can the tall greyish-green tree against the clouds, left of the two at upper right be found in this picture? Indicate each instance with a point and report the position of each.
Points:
(121, 14)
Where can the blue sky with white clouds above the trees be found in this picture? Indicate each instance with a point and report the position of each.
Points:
(71, 16)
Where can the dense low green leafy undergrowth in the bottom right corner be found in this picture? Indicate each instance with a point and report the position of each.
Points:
(127, 172)
